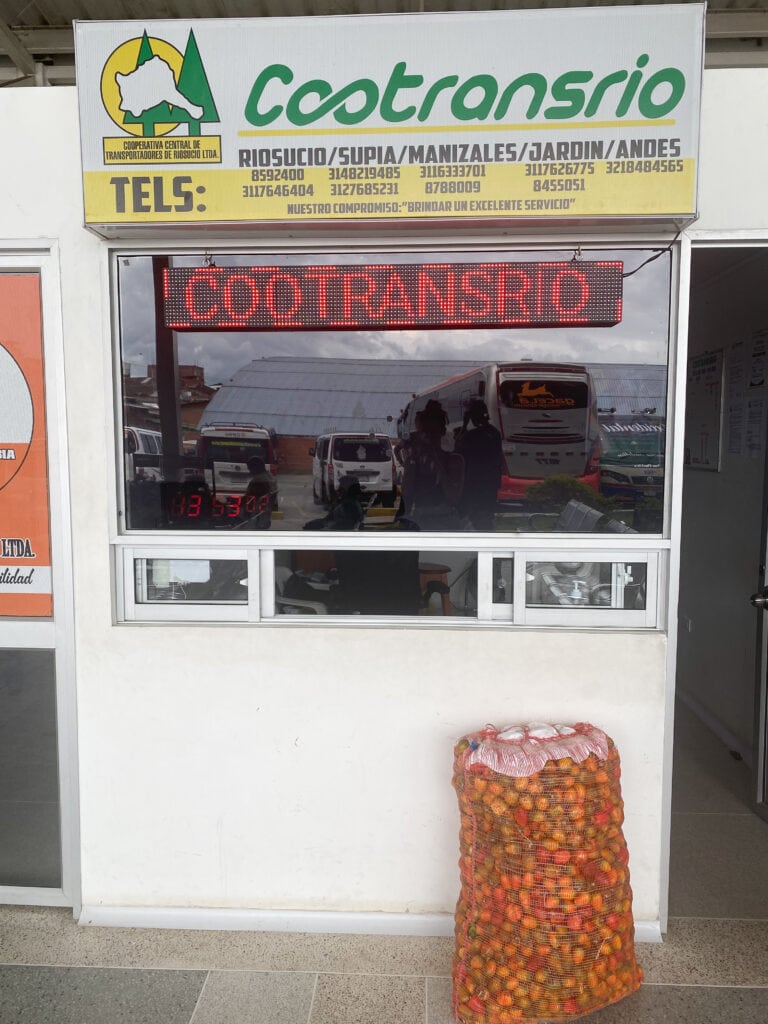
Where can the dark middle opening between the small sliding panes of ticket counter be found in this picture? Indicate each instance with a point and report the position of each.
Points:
(375, 583)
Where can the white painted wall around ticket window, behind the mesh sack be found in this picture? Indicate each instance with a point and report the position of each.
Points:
(298, 769)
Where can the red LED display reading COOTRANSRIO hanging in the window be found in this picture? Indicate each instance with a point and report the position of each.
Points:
(396, 296)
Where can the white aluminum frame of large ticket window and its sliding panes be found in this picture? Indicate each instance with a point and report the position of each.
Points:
(653, 549)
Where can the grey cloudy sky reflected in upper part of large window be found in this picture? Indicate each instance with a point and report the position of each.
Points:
(642, 337)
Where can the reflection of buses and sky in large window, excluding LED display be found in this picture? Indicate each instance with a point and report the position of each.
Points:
(471, 431)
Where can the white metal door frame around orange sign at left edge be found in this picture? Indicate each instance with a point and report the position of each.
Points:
(42, 258)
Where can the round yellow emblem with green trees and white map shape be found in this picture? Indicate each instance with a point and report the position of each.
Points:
(149, 89)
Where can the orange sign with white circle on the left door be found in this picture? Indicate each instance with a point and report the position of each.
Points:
(25, 531)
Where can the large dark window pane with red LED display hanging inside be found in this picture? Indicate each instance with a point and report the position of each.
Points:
(236, 423)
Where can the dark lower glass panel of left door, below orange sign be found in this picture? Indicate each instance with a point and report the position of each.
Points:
(30, 836)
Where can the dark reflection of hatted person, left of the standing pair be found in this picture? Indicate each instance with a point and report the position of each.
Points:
(433, 478)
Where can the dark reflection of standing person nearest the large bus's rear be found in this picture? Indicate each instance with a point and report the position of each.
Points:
(480, 444)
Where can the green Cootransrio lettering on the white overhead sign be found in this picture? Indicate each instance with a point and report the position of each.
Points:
(646, 93)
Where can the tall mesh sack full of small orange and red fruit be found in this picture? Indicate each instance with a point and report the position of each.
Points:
(544, 926)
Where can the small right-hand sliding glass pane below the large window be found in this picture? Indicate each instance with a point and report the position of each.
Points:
(582, 585)
